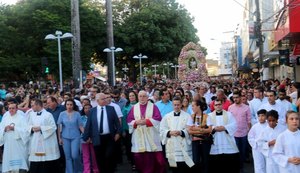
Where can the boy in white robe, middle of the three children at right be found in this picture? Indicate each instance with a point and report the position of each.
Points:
(267, 140)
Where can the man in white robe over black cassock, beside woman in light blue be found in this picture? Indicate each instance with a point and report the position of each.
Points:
(43, 146)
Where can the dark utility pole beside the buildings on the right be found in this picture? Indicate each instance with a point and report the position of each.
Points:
(260, 40)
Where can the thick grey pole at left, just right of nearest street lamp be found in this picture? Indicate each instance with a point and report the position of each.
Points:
(76, 59)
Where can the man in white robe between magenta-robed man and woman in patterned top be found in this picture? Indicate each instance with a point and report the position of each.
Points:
(175, 137)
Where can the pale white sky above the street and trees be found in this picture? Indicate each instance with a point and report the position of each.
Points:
(215, 21)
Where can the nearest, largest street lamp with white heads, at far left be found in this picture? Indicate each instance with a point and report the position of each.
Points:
(58, 35)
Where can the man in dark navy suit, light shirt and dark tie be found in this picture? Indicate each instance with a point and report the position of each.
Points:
(103, 129)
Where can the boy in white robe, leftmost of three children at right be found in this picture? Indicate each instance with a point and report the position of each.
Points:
(255, 131)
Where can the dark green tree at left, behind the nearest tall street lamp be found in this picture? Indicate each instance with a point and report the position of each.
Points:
(24, 27)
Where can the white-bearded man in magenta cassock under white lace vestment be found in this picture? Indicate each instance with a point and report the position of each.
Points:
(143, 120)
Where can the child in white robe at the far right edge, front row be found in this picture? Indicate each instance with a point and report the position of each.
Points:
(286, 152)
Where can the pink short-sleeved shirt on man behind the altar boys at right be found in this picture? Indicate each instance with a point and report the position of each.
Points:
(242, 116)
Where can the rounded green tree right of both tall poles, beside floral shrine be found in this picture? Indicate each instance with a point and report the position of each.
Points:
(156, 28)
